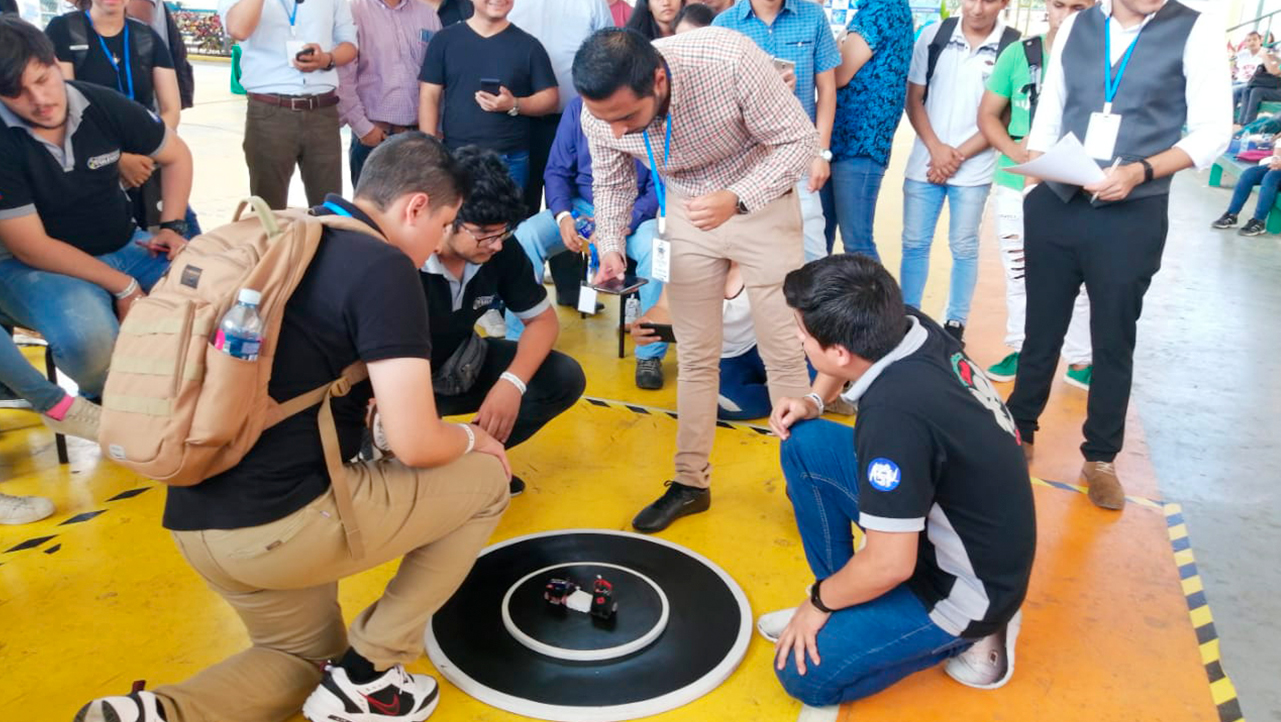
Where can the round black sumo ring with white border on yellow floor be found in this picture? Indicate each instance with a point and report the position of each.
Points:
(681, 629)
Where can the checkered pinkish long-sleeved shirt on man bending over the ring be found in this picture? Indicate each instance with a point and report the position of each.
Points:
(735, 127)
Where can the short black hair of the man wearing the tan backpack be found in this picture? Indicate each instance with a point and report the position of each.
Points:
(412, 163)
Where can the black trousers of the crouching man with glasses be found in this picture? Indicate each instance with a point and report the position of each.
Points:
(554, 389)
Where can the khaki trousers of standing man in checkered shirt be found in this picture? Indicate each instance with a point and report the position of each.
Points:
(767, 245)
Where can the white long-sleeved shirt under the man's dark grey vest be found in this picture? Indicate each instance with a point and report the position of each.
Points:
(1209, 89)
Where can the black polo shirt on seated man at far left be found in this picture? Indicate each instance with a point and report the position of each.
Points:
(83, 205)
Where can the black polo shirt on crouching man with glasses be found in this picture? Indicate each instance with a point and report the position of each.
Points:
(508, 276)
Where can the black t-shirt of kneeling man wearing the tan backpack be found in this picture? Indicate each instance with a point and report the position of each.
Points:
(361, 300)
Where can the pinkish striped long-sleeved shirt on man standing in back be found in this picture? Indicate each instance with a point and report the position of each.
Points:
(382, 84)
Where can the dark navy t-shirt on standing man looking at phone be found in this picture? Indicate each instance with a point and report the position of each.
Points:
(458, 58)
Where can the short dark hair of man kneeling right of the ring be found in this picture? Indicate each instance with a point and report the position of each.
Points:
(849, 300)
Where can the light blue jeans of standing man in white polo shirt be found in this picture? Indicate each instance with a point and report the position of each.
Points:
(923, 203)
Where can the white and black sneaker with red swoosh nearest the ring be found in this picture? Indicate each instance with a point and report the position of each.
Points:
(396, 697)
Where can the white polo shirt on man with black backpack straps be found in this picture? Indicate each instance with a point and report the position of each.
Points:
(960, 80)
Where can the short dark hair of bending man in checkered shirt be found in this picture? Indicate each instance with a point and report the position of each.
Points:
(612, 60)
